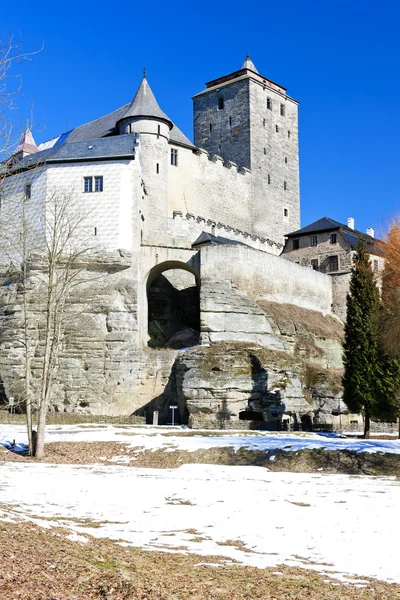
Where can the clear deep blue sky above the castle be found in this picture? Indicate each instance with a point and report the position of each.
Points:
(339, 58)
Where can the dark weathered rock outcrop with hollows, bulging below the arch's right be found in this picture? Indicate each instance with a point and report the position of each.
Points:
(239, 385)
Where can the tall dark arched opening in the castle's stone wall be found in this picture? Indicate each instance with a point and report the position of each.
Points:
(173, 304)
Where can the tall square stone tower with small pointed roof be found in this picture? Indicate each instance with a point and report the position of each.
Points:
(249, 120)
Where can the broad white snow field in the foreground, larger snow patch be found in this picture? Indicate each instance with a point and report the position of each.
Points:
(336, 524)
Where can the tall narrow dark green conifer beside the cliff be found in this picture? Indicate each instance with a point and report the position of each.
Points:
(363, 374)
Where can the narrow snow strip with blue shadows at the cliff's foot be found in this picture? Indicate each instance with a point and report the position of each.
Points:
(154, 438)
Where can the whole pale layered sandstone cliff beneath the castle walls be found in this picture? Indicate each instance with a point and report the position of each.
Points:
(250, 371)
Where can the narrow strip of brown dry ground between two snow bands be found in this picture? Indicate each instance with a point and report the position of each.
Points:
(303, 461)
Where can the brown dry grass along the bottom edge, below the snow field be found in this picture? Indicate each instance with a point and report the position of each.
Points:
(39, 564)
